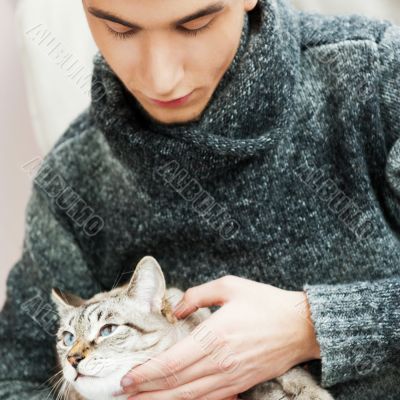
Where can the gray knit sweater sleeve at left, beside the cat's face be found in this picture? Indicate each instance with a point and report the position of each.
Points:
(50, 258)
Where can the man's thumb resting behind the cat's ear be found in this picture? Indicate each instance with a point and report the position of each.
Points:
(213, 293)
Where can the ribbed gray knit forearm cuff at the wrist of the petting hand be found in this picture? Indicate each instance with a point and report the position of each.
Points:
(357, 327)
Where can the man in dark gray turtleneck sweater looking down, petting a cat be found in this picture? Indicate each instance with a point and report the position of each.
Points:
(235, 138)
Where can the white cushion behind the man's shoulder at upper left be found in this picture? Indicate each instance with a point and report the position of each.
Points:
(57, 49)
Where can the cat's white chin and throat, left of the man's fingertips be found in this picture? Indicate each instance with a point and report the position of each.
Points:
(98, 388)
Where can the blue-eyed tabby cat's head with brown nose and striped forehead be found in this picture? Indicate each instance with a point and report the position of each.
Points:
(102, 338)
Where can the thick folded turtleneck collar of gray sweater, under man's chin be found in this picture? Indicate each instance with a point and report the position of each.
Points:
(250, 108)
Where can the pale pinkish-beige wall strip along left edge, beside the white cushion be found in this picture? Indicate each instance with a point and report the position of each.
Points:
(17, 146)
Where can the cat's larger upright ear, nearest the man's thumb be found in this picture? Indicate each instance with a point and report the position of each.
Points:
(147, 284)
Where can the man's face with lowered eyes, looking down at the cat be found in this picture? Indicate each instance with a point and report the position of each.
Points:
(159, 54)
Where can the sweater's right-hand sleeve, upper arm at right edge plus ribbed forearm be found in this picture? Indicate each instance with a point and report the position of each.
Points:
(358, 324)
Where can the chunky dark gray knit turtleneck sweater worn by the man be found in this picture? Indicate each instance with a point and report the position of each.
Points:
(291, 177)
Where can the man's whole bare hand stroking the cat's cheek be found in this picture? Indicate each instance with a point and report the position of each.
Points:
(257, 334)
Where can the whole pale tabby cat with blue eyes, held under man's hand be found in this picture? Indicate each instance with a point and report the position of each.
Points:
(102, 338)
